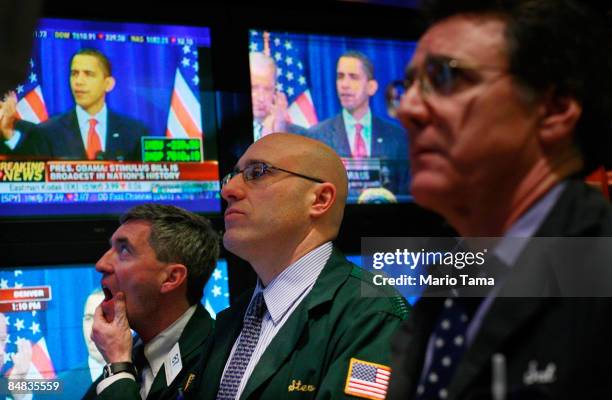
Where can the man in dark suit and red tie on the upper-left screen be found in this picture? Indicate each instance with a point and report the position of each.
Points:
(91, 131)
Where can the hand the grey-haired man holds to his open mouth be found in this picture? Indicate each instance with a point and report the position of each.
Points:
(111, 330)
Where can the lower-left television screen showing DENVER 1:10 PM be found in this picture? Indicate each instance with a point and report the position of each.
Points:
(50, 310)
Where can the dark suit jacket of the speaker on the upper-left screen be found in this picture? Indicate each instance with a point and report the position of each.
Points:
(60, 138)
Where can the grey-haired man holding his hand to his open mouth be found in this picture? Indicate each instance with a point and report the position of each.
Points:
(153, 277)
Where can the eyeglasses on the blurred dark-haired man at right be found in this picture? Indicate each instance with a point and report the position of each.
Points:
(440, 75)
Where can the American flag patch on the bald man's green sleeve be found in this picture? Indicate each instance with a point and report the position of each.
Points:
(367, 380)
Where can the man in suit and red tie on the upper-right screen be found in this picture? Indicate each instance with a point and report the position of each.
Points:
(356, 132)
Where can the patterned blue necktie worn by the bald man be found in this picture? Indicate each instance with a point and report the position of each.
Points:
(244, 350)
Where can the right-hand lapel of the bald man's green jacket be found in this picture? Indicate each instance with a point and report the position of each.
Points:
(283, 344)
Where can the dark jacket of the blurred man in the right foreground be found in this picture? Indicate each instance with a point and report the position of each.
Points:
(564, 334)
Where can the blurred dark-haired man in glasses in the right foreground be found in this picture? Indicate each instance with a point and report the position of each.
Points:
(508, 107)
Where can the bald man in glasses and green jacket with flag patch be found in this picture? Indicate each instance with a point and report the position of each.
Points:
(305, 330)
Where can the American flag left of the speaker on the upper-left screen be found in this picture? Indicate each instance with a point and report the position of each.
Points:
(31, 104)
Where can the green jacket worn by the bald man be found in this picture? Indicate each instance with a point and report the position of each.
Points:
(332, 324)
